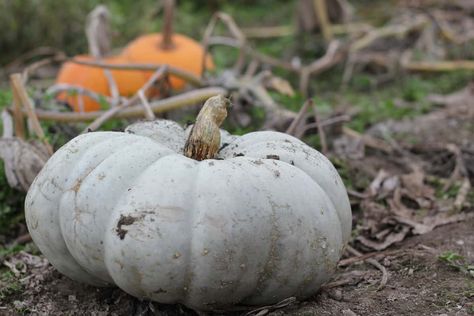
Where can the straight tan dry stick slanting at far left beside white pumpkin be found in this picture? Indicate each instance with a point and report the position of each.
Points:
(20, 91)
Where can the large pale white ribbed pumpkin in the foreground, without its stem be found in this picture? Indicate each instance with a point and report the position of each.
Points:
(266, 220)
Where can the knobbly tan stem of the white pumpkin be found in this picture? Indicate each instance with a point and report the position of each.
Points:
(205, 137)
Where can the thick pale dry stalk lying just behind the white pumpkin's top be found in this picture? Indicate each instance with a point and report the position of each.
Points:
(159, 106)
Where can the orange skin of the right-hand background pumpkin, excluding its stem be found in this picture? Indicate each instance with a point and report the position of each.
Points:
(185, 54)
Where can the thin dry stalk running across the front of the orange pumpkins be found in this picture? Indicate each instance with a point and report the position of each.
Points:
(177, 72)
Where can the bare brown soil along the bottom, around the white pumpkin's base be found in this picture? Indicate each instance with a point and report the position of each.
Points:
(419, 284)
